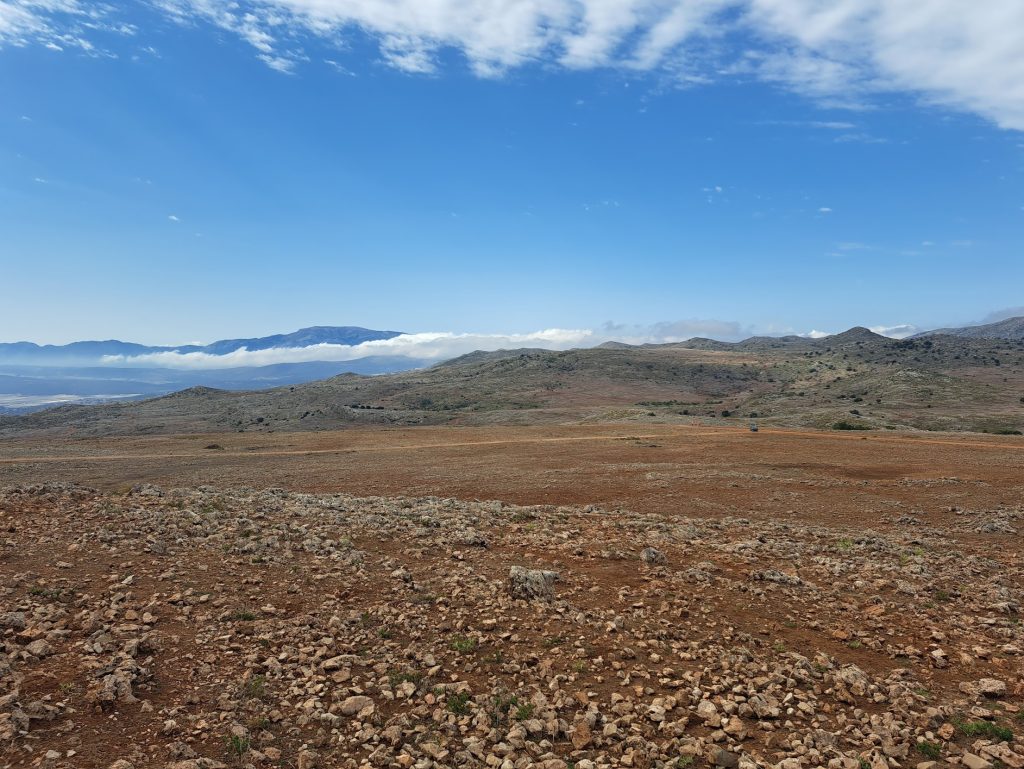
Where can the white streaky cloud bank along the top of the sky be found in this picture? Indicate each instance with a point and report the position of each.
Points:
(956, 54)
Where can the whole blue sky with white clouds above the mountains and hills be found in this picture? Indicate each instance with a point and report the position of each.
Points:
(196, 169)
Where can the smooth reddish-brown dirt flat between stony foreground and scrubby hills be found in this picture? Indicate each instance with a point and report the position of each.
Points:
(774, 474)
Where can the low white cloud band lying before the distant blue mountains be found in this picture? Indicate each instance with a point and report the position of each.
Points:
(435, 347)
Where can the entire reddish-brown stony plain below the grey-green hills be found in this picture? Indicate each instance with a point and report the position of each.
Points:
(723, 599)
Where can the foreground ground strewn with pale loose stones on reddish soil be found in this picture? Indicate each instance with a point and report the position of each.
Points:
(207, 628)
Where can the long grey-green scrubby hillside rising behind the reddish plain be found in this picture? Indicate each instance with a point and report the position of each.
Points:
(857, 379)
